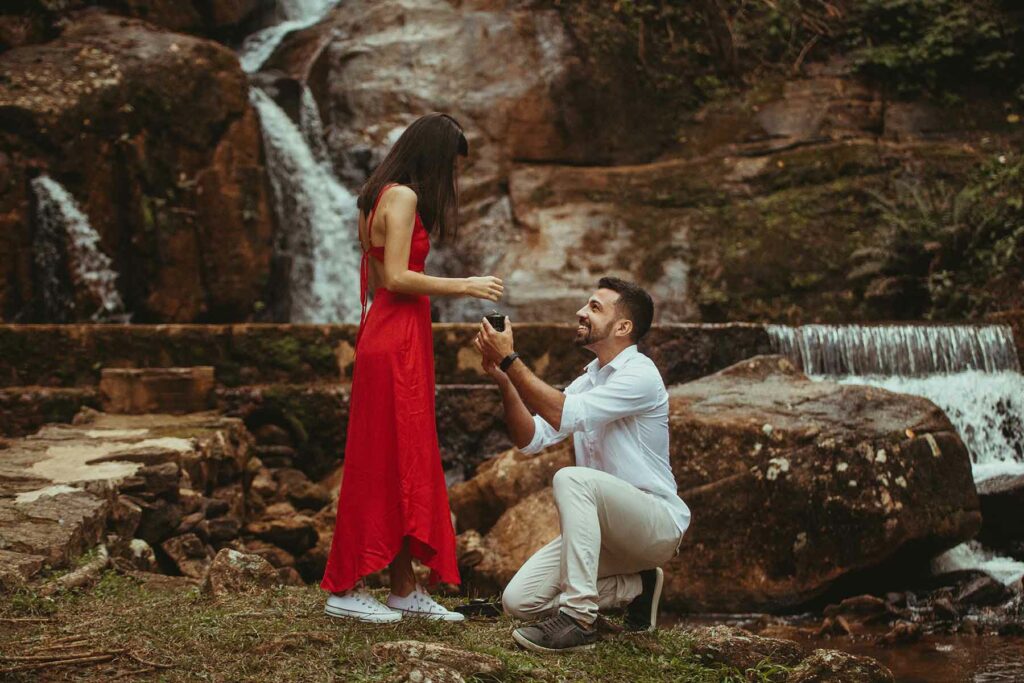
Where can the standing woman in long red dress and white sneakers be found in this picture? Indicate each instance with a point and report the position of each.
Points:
(394, 505)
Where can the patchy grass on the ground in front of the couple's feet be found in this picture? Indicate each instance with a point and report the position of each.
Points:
(283, 635)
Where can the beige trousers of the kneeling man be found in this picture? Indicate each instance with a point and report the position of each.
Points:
(611, 532)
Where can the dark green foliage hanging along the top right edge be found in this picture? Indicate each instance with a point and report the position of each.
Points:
(691, 53)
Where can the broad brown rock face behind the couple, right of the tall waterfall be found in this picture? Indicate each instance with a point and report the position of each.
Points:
(568, 180)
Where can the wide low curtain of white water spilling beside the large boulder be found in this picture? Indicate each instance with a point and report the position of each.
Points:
(971, 372)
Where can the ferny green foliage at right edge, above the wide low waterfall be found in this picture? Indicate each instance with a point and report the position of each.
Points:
(971, 240)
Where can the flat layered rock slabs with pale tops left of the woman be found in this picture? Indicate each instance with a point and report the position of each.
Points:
(61, 490)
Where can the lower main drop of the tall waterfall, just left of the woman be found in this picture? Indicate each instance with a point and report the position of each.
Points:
(319, 218)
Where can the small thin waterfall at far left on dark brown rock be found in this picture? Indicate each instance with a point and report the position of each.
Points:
(62, 223)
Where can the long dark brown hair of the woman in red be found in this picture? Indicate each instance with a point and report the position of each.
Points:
(424, 159)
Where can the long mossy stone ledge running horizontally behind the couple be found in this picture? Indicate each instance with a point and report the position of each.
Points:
(72, 356)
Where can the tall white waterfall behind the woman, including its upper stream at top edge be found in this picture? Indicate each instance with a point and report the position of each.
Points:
(317, 214)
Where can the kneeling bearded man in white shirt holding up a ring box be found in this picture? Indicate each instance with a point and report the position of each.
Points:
(620, 516)
